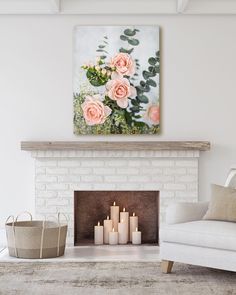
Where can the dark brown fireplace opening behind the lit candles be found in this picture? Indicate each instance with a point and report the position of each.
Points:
(91, 207)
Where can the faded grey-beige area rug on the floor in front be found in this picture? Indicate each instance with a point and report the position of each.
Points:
(138, 278)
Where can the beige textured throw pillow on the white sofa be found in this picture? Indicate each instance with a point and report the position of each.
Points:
(222, 205)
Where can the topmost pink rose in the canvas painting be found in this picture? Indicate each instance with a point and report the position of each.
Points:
(124, 64)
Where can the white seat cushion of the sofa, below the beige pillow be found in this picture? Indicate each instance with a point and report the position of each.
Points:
(203, 233)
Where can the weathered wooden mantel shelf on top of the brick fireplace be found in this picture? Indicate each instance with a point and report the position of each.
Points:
(115, 145)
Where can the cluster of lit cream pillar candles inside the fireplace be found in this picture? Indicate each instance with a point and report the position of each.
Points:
(119, 229)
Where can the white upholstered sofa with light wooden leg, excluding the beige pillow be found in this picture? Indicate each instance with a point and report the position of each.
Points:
(188, 239)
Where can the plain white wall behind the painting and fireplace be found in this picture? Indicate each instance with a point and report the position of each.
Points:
(198, 92)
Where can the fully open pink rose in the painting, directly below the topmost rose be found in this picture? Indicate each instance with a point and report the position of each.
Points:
(119, 90)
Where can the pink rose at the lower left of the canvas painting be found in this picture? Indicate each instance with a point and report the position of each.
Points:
(94, 111)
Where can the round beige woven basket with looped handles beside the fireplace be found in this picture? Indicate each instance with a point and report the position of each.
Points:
(35, 238)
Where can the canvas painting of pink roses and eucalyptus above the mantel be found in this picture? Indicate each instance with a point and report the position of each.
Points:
(116, 80)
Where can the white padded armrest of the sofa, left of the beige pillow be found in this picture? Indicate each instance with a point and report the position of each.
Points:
(185, 212)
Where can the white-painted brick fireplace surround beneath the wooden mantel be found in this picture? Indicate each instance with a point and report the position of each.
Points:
(58, 173)
